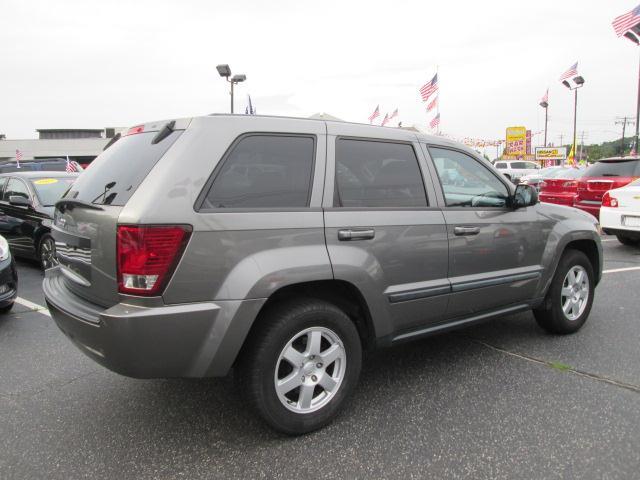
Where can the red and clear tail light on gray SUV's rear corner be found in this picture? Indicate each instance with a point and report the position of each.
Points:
(148, 255)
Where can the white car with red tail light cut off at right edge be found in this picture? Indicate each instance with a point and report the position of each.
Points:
(620, 213)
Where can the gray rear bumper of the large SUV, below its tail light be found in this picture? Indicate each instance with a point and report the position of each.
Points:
(187, 340)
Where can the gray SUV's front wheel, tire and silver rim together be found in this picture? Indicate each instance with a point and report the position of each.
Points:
(568, 302)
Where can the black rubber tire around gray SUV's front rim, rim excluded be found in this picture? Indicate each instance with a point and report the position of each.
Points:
(550, 315)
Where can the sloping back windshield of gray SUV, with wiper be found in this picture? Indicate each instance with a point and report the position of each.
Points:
(118, 171)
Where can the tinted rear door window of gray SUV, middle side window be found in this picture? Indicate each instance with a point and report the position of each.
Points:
(377, 174)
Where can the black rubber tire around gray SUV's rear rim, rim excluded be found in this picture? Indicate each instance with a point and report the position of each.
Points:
(261, 357)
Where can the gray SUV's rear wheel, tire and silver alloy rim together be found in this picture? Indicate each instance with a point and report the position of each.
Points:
(300, 365)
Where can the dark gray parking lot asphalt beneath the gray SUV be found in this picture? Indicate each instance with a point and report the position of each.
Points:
(498, 400)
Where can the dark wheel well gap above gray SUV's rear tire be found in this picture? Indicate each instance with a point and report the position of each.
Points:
(342, 294)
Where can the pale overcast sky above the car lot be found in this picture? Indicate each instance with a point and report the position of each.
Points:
(91, 64)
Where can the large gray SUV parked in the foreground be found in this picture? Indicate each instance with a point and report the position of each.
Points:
(283, 248)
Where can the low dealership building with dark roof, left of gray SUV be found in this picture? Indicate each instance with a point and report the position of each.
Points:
(80, 144)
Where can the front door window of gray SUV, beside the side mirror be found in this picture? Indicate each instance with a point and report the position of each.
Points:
(466, 182)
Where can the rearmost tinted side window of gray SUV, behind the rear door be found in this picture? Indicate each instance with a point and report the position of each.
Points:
(265, 171)
